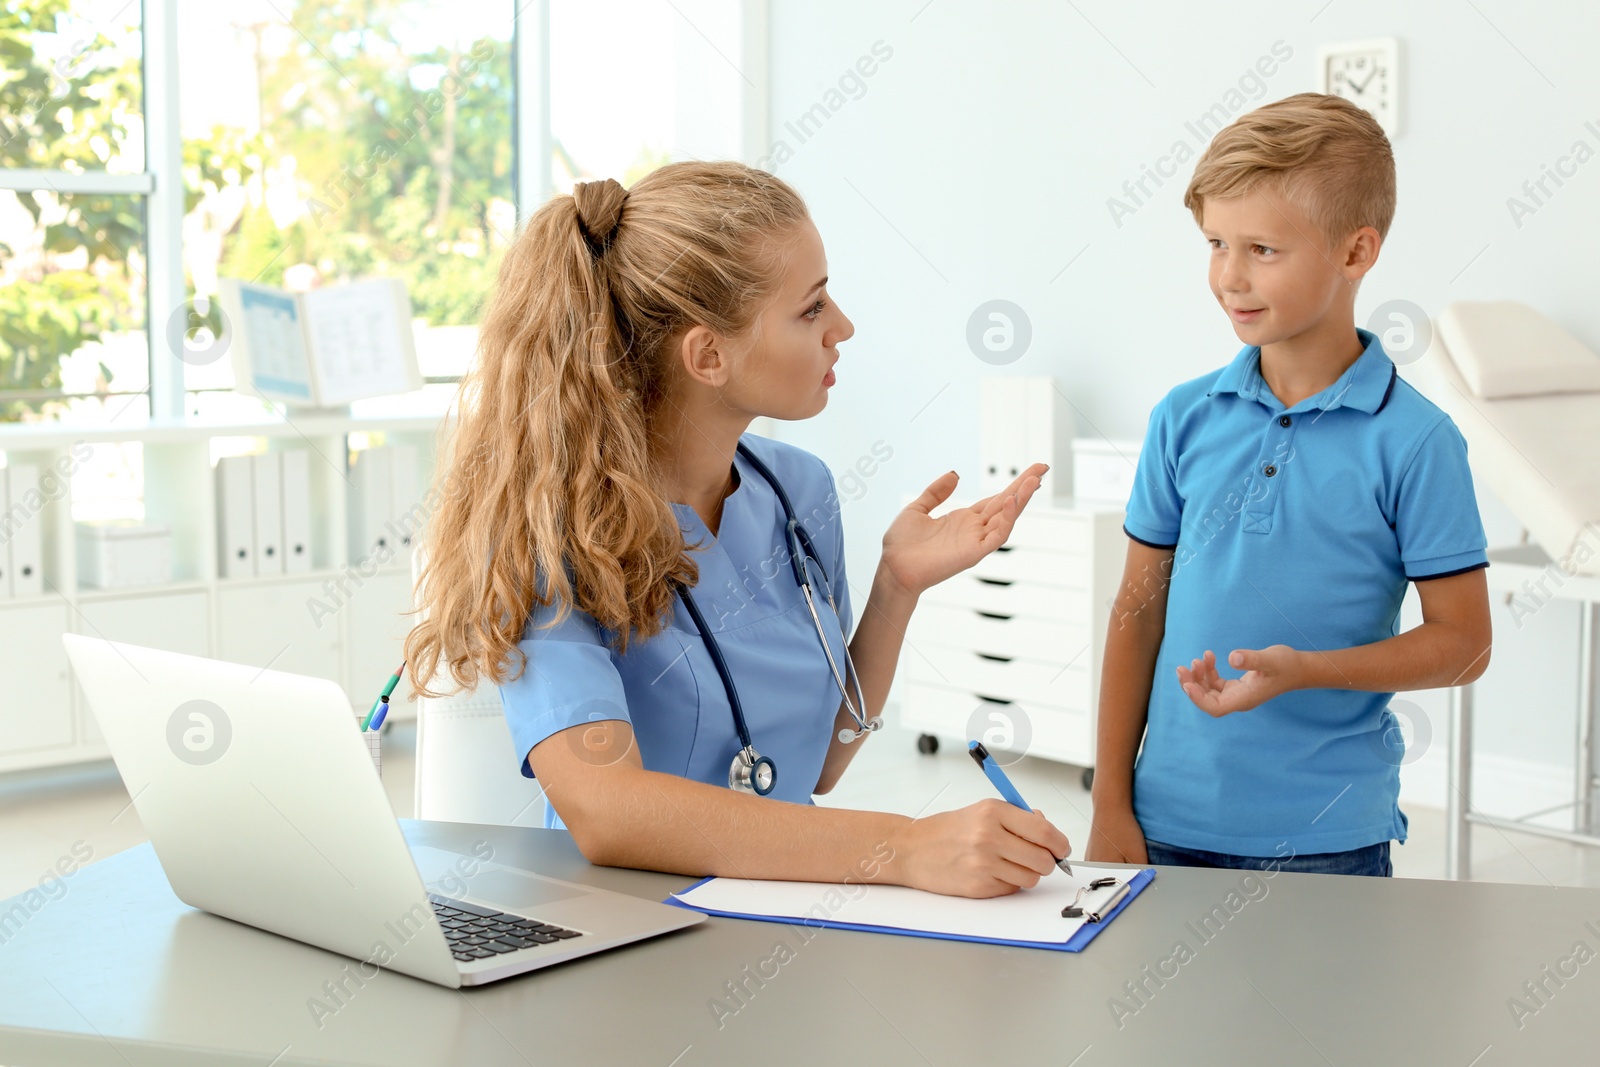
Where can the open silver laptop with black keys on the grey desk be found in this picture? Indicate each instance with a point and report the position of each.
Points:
(263, 807)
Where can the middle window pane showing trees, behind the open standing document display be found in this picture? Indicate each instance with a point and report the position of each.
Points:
(340, 140)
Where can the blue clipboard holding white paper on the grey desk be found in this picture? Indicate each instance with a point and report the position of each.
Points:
(839, 919)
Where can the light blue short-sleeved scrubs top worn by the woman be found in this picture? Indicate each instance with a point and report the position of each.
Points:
(668, 687)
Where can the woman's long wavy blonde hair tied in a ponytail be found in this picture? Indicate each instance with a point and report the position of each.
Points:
(546, 486)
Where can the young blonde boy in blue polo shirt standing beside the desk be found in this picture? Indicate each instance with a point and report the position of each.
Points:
(1279, 511)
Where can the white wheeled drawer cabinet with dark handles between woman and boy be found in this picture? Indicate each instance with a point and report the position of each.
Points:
(1010, 652)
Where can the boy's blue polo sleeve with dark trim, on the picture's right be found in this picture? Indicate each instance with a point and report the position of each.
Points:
(1438, 522)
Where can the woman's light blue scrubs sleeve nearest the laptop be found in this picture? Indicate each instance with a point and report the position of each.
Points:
(570, 679)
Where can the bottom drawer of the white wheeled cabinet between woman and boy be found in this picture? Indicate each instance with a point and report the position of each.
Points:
(1054, 733)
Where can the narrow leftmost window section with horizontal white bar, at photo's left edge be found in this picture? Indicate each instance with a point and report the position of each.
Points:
(73, 242)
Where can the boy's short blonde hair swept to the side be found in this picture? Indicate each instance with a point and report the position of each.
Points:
(1322, 153)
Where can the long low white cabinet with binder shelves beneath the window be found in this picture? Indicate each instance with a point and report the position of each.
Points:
(340, 618)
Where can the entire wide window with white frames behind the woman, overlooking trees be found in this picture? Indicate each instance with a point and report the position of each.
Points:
(310, 143)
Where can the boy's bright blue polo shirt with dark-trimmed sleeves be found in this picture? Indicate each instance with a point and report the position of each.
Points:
(1290, 527)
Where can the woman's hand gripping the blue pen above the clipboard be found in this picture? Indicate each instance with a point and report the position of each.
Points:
(990, 849)
